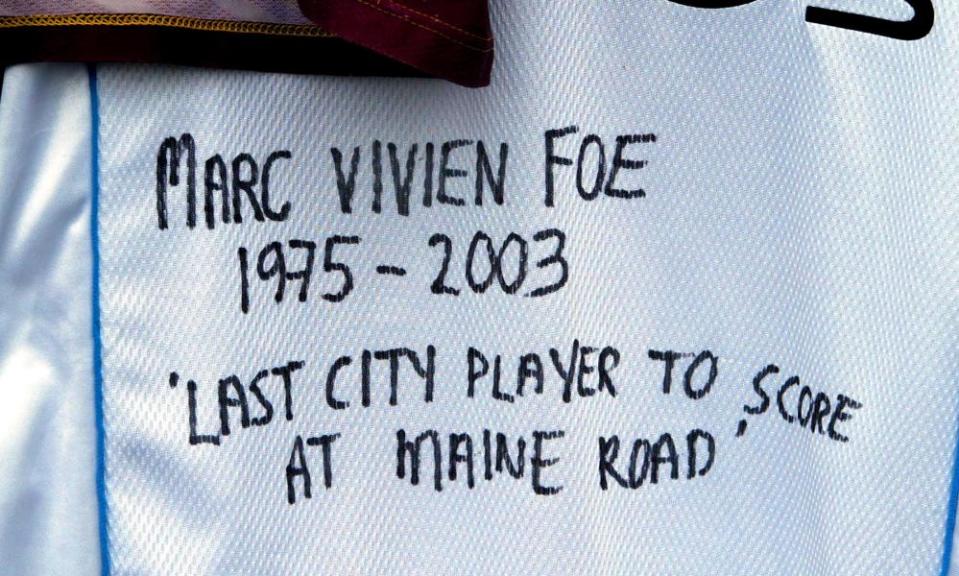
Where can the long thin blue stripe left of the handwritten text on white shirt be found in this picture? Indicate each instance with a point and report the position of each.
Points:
(97, 342)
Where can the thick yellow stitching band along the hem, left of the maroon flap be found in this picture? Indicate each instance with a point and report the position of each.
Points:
(202, 24)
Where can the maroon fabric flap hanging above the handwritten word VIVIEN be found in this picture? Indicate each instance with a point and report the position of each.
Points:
(446, 38)
